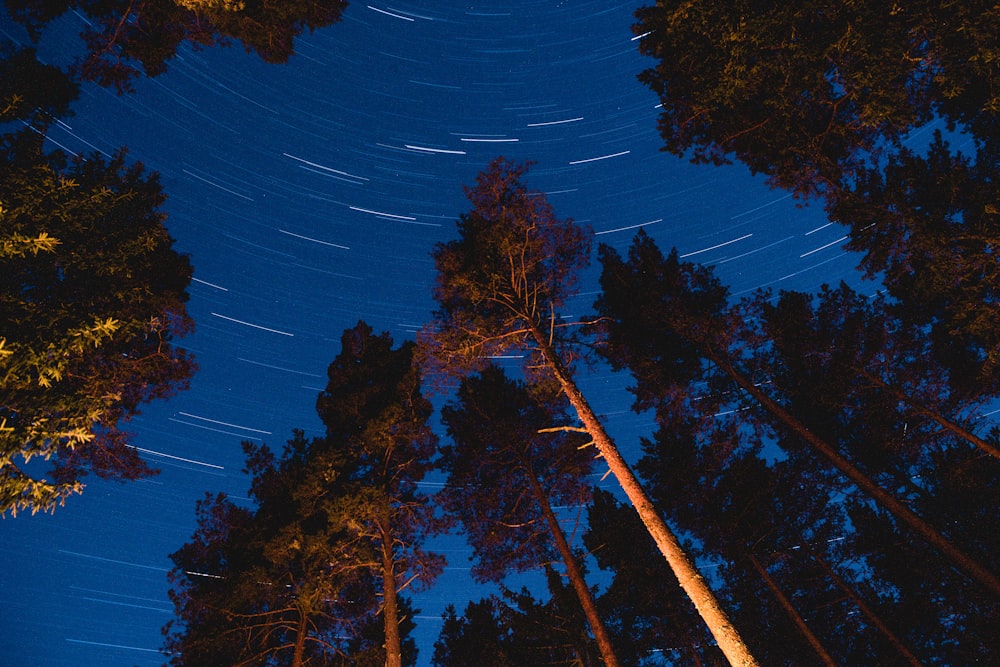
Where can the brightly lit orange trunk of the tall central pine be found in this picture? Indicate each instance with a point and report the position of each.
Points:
(691, 581)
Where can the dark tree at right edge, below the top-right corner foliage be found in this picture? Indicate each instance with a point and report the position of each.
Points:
(928, 227)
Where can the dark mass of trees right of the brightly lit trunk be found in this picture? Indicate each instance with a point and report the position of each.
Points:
(866, 446)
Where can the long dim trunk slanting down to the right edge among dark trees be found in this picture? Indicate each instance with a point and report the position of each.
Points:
(889, 502)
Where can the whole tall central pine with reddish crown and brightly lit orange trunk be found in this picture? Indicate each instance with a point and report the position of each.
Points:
(498, 288)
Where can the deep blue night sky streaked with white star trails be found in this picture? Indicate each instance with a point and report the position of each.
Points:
(308, 196)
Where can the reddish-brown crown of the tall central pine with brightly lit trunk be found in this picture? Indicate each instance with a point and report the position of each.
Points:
(514, 264)
